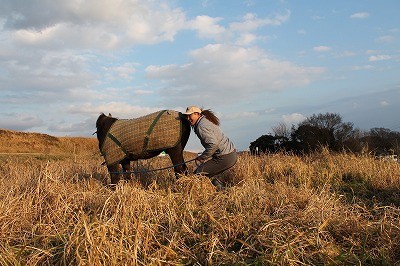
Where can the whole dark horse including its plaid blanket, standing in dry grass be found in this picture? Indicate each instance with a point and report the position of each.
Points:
(149, 147)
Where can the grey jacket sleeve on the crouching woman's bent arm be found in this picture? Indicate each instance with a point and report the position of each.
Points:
(210, 139)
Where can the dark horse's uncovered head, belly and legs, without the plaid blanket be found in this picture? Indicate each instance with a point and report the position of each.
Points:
(103, 125)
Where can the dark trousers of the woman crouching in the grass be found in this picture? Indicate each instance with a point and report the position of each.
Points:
(217, 164)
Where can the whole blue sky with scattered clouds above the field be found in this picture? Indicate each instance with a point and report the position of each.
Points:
(256, 64)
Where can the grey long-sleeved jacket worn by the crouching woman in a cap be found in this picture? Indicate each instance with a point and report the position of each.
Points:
(212, 139)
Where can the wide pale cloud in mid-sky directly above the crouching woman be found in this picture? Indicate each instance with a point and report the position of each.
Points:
(222, 73)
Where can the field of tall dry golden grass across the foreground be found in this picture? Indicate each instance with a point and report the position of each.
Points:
(279, 210)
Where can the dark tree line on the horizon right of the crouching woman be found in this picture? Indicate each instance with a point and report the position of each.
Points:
(327, 130)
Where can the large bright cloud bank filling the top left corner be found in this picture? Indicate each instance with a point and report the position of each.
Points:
(91, 24)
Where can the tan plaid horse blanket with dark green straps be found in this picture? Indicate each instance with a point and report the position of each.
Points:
(137, 137)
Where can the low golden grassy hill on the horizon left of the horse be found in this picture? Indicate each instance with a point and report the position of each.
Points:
(12, 142)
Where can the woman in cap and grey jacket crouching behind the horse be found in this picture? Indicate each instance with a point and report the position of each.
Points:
(220, 152)
